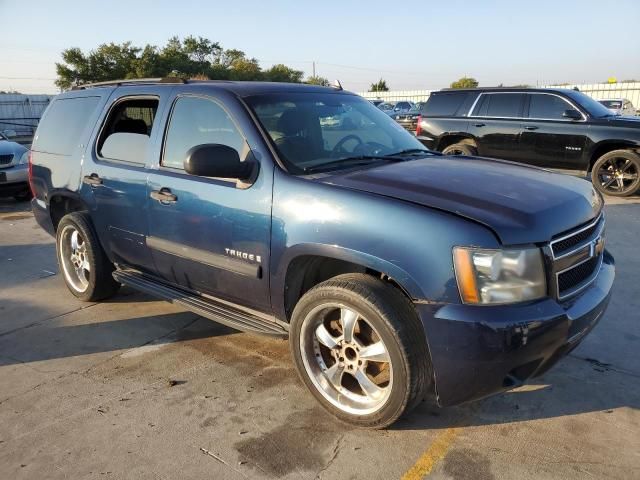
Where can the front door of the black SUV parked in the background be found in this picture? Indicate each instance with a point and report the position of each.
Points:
(548, 138)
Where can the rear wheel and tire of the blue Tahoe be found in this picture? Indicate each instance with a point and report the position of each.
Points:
(84, 265)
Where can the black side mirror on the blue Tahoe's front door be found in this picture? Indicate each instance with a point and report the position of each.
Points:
(215, 160)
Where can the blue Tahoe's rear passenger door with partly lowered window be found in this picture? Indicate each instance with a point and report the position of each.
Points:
(114, 173)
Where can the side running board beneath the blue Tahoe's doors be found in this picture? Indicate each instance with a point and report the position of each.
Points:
(217, 311)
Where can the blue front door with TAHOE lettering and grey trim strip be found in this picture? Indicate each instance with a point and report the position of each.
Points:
(213, 235)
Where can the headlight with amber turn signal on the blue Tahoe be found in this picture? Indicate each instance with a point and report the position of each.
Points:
(499, 276)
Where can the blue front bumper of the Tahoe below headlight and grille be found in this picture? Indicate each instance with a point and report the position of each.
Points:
(477, 351)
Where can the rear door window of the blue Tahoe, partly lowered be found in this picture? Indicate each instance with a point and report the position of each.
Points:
(133, 117)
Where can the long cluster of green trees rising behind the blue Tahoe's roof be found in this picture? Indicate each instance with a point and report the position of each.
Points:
(189, 58)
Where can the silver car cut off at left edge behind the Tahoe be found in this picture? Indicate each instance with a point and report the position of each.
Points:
(14, 159)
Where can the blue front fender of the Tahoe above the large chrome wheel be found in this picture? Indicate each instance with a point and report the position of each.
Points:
(410, 243)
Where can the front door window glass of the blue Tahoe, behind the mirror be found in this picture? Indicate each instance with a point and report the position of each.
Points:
(198, 121)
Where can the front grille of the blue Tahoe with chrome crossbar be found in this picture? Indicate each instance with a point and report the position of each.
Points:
(577, 257)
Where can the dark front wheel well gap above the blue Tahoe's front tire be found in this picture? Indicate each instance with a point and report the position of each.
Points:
(307, 271)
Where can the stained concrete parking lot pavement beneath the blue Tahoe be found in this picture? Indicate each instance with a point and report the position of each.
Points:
(137, 388)
